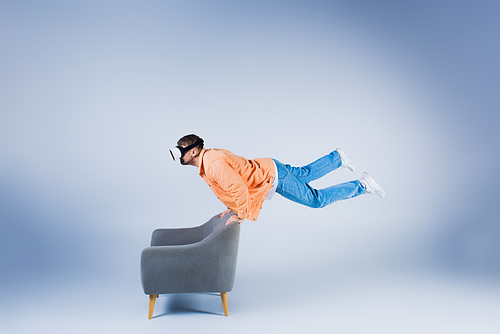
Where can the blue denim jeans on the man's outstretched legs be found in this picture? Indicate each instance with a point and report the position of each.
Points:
(293, 182)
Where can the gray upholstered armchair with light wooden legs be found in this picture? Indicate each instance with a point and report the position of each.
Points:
(196, 259)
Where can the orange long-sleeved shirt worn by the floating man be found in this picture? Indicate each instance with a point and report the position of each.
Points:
(241, 184)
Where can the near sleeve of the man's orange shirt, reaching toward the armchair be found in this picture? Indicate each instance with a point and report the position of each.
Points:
(232, 185)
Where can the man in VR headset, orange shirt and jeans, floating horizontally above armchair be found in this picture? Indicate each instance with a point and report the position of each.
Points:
(243, 184)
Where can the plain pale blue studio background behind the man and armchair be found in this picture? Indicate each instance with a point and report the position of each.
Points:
(93, 94)
